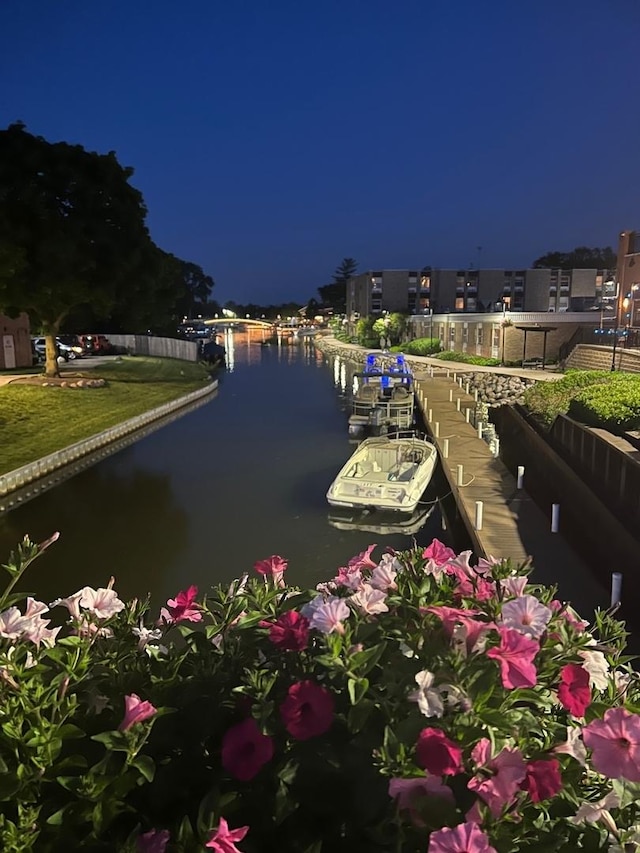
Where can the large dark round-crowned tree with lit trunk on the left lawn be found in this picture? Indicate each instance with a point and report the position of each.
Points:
(75, 228)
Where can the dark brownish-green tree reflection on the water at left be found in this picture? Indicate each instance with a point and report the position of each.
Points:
(110, 517)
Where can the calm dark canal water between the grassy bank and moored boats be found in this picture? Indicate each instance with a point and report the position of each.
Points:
(200, 500)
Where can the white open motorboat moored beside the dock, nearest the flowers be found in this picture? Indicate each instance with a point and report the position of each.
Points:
(386, 472)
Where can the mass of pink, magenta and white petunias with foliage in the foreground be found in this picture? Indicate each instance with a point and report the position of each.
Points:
(414, 702)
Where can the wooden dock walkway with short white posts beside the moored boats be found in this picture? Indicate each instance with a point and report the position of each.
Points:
(512, 524)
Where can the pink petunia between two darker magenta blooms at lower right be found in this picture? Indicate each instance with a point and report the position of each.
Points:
(499, 778)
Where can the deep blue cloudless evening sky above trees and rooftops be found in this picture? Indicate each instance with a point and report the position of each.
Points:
(272, 138)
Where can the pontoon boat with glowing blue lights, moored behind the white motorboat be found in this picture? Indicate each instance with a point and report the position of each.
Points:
(384, 398)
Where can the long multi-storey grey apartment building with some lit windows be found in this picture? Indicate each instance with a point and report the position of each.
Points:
(479, 290)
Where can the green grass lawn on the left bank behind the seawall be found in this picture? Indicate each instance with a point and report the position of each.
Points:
(35, 420)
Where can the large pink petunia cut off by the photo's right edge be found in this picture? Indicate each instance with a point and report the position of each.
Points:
(615, 744)
